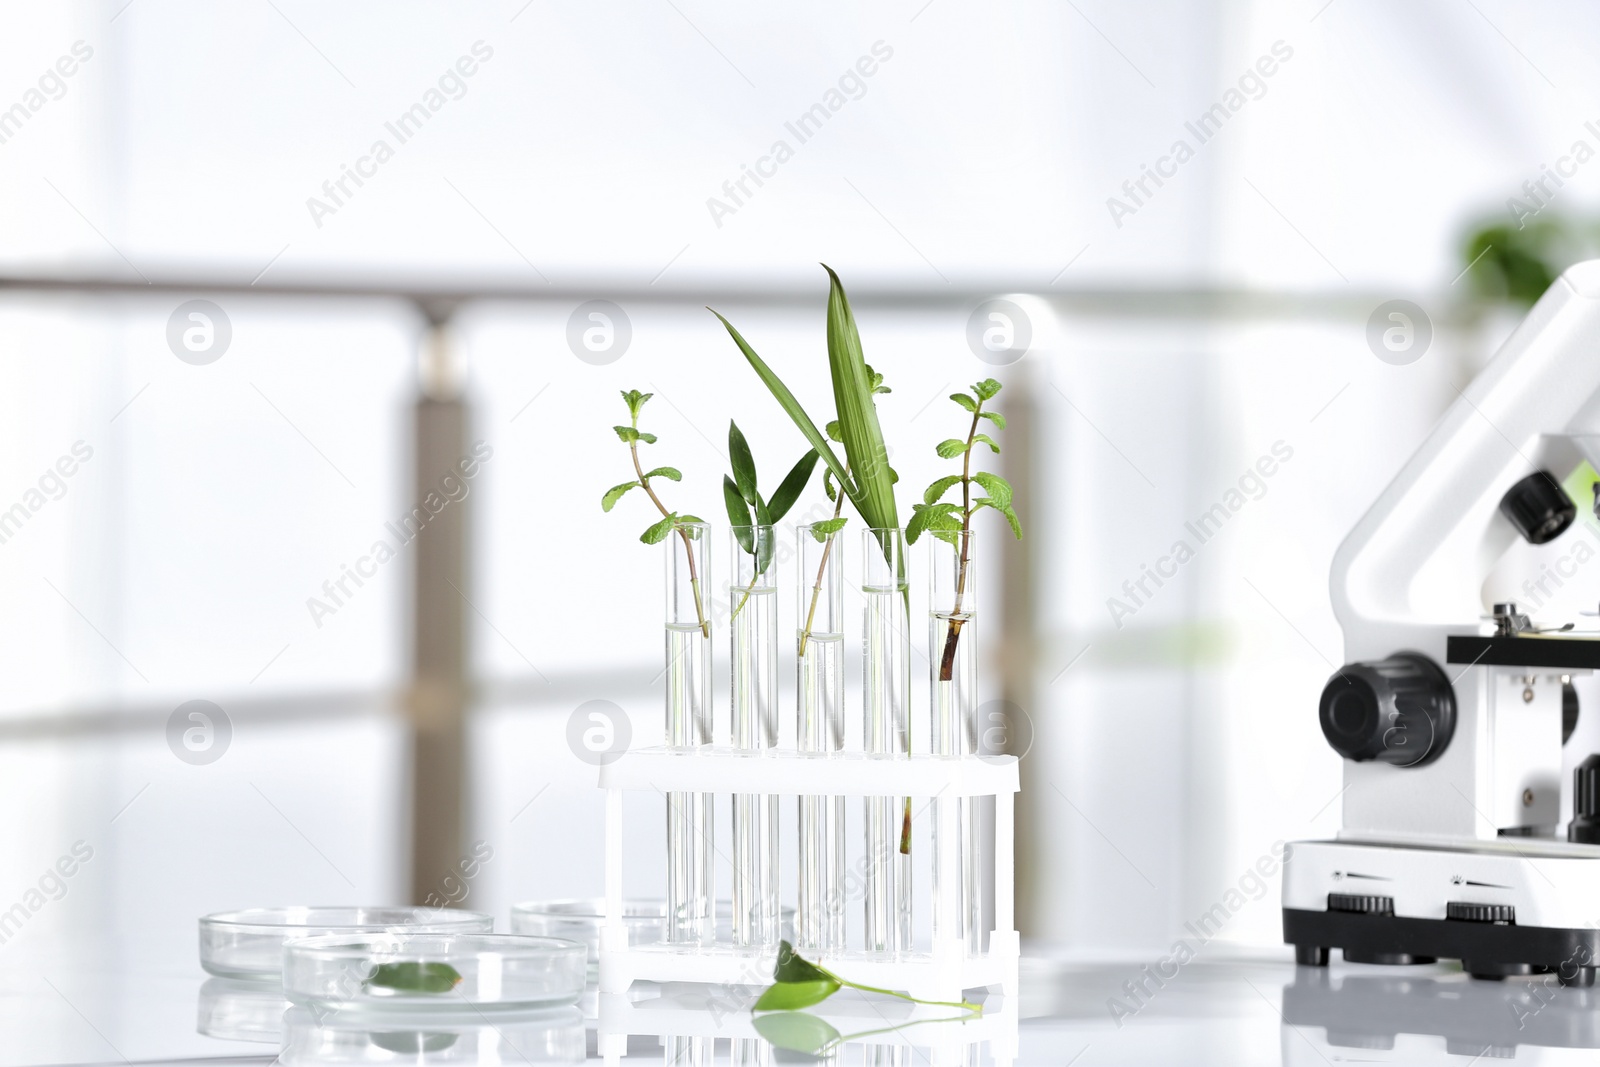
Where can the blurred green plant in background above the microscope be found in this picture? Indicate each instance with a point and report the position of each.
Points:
(1514, 265)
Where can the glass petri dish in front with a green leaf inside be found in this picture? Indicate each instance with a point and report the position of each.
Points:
(439, 975)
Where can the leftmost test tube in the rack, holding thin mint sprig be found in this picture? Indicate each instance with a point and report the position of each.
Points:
(690, 873)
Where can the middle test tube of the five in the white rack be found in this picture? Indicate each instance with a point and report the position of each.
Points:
(820, 695)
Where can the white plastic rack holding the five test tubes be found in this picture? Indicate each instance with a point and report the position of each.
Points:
(942, 973)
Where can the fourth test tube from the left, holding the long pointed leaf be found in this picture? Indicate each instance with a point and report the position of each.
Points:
(887, 677)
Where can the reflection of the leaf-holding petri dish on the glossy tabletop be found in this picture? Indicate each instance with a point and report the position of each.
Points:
(537, 1037)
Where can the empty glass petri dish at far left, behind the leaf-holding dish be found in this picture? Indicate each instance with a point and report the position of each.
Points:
(249, 945)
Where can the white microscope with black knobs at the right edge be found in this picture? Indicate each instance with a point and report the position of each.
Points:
(1468, 599)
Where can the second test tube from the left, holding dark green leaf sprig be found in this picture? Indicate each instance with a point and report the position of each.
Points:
(754, 663)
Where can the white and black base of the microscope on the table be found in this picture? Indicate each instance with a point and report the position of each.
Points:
(1487, 906)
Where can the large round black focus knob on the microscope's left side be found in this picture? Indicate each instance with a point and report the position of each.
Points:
(1399, 711)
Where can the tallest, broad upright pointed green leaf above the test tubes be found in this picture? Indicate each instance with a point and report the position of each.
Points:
(858, 417)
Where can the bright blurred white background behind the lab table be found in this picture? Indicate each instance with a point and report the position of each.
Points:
(1172, 348)
